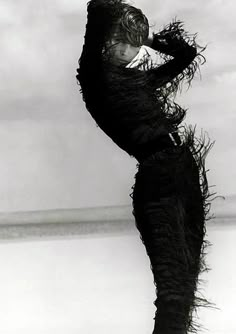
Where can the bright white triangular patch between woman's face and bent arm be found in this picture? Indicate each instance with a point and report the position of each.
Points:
(147, 57)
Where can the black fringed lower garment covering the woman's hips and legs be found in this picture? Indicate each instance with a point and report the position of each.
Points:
(168, 206)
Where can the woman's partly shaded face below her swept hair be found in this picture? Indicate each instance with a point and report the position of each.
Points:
(121, 53)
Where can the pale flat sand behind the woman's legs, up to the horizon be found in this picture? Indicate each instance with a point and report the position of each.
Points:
(70, 277)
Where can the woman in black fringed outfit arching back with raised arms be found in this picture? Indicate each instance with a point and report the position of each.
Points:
(131, 99)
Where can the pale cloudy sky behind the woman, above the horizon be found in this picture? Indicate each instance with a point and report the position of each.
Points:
(53, 155)
